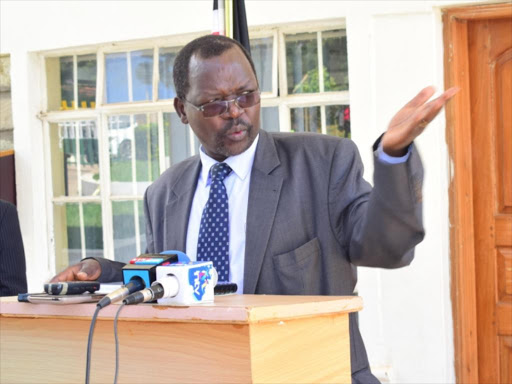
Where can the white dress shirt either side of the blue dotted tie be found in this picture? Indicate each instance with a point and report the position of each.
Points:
(237, 187)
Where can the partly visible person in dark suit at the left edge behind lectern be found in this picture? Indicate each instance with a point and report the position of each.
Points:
(13, 279)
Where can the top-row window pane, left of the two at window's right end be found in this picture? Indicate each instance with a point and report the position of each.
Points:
(302, 63)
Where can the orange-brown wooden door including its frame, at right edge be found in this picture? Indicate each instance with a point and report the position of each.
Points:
(478, 59)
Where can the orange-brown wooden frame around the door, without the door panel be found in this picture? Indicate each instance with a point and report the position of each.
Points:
(458, 138)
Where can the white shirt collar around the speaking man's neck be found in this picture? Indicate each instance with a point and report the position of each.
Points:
(240, 164)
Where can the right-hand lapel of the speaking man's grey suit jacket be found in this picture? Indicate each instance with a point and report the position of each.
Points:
(263, 199)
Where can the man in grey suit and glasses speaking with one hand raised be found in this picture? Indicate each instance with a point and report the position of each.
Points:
(301, 217)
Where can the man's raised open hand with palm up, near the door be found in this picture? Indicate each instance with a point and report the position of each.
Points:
(412, 119)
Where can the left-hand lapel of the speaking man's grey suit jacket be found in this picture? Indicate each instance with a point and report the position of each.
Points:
(178, 209)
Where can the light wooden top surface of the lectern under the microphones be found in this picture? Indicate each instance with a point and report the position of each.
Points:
(228, 309)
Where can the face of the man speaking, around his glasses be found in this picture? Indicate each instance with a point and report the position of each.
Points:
(221, 78)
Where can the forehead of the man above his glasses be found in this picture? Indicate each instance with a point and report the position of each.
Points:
(219, 75)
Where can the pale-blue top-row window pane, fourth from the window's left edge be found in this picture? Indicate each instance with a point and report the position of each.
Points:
(142, 74)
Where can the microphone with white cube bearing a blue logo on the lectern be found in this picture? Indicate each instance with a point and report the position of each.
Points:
(180, 284)
